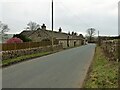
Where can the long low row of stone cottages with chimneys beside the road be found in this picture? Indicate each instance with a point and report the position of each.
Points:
(66, 39)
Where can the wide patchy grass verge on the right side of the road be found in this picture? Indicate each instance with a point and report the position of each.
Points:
(102, 73)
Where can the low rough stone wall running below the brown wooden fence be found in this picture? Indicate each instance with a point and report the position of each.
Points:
(17, 53)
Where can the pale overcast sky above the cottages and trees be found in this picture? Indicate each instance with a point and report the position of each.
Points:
(71, 15)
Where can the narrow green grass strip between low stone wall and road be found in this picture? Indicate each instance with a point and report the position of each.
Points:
(23, 58)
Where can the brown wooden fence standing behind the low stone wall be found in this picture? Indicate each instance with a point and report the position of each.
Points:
(16, 46)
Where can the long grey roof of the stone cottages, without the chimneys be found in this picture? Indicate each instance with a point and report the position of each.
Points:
(48, 34)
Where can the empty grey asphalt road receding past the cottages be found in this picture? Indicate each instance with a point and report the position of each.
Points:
(65, 69)
